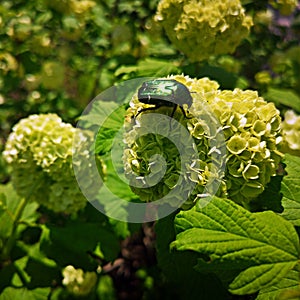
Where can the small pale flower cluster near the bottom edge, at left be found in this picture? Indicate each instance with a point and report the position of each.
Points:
(78, 282)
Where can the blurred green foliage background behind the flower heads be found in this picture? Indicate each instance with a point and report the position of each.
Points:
(57, 55)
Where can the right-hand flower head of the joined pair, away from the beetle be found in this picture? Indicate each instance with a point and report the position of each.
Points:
(251, 127)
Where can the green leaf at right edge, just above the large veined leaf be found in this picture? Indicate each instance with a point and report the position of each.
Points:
(290, 190)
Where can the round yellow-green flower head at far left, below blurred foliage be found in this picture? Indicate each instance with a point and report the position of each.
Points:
(39, 150)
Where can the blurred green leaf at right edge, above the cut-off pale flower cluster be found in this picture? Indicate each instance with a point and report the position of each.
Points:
(286, 97)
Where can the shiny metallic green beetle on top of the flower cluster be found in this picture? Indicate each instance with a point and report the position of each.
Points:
(164, 92)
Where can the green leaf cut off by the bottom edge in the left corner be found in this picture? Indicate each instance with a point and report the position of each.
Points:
(11, 293)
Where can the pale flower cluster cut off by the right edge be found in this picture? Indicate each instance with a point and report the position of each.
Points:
(291, 133)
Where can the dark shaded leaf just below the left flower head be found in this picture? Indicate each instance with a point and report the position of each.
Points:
(71, 243)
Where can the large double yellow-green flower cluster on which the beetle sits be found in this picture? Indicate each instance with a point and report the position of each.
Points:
(251, 135)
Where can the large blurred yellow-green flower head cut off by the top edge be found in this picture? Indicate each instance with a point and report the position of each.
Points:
(201, 29)
